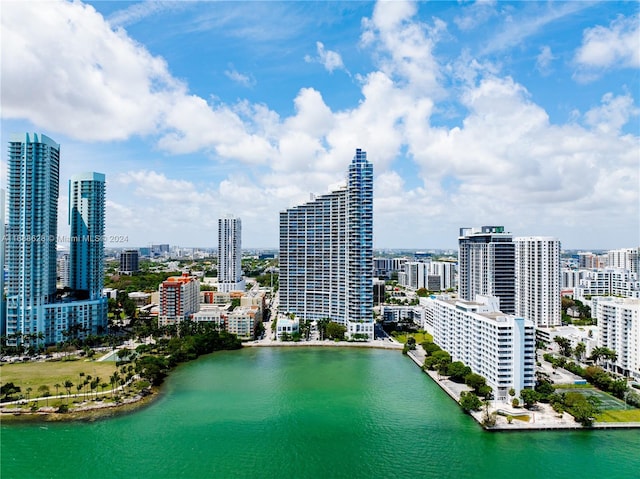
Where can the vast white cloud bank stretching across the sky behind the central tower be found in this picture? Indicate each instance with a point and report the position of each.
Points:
(504, 162)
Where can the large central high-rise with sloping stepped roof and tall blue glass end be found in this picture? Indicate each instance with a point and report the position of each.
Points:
(326, 254)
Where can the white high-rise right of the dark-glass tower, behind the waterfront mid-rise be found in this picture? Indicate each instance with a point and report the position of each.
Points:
(537, 286)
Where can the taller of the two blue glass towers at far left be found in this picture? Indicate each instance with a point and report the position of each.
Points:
(33, 169)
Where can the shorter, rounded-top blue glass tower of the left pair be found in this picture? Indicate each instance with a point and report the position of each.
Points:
(86, 218)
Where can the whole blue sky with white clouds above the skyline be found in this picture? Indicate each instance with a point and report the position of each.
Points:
(521, 114)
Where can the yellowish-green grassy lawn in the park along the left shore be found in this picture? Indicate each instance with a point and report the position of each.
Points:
(35, 374)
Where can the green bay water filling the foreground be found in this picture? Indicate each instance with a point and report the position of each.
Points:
(307, 413)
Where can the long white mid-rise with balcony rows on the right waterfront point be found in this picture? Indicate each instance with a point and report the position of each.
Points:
(499, 347)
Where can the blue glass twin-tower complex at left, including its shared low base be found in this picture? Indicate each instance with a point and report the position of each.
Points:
(36, 311)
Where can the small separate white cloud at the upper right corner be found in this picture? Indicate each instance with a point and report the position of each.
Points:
(615, 46)
